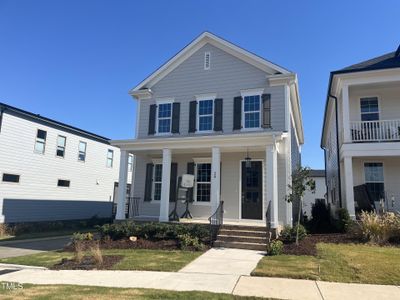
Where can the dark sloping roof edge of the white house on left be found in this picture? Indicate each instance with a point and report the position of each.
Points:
(5, 108)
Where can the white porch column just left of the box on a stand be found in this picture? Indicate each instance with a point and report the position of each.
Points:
(165, 183)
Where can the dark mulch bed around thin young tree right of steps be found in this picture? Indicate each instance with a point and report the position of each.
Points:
(308, 245)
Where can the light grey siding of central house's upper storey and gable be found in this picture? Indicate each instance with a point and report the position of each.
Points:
(226, 77)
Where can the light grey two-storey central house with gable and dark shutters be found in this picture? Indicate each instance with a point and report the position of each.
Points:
(225, 115)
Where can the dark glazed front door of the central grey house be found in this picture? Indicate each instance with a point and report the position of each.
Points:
(252, 195)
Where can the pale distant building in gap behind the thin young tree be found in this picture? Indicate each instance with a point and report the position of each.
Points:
(320, 191)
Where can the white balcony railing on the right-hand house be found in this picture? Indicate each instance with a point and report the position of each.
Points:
(375, 131)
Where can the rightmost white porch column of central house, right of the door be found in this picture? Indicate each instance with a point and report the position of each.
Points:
(271, 171)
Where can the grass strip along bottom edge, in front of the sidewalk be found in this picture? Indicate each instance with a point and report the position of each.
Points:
(88, 292)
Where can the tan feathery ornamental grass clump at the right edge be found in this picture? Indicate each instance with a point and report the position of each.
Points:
(380, 229)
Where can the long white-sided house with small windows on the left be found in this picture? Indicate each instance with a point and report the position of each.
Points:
(53, 171)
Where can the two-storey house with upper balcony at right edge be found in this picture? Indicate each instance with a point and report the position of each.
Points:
(361, 134)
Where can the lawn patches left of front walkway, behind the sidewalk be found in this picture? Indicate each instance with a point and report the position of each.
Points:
(138, 259)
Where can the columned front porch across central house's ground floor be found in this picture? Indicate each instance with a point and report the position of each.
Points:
(221, 174)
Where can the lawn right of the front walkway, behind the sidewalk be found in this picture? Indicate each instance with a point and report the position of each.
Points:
(339, 263)
